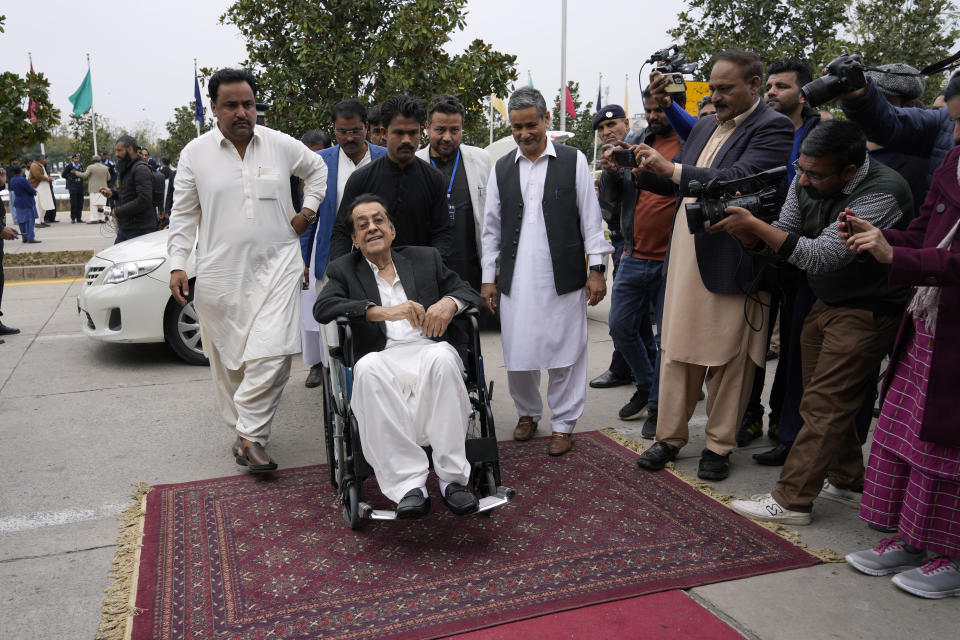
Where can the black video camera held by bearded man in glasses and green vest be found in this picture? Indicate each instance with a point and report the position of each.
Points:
(717, 195)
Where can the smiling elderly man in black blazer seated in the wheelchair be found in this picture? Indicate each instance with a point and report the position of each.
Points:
(408, 388)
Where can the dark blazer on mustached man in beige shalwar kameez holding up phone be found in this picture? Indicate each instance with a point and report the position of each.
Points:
(763, 141)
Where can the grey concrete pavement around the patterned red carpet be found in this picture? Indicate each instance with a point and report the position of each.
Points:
(82, 421)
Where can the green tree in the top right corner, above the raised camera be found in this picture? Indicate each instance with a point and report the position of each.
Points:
(918, 32)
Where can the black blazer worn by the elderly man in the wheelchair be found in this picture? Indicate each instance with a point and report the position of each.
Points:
(351, 287)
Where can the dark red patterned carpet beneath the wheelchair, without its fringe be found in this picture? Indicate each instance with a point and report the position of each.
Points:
(240, 558)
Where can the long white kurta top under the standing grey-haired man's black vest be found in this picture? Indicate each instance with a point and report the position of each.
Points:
(541, 330)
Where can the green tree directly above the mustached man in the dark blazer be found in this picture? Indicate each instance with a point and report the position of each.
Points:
(775, 29)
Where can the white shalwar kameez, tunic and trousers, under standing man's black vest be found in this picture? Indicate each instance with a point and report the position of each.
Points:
(540, 329)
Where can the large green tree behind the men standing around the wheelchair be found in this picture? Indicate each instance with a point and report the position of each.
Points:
(309, 55)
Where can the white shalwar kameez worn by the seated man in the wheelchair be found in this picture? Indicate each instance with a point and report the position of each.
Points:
(407, 396)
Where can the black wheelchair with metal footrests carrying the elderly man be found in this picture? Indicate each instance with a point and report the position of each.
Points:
(347, 466)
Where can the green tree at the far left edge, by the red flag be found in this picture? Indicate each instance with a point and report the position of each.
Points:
(18, 132)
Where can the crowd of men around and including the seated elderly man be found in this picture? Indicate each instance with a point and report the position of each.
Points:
(402, 240)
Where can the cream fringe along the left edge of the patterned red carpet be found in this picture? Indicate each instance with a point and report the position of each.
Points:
(118, 607)
